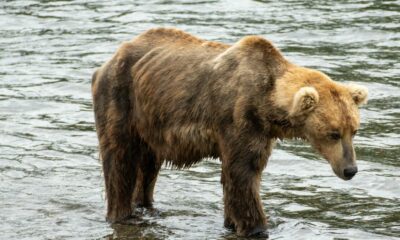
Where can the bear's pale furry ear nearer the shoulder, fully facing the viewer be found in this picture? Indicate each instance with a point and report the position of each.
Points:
(304, 101)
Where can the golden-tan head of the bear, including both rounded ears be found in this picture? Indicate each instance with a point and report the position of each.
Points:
(325, 113)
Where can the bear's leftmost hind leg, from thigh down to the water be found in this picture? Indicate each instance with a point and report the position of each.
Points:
(118, 147)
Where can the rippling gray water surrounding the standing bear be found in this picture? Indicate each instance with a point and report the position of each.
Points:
(51, 185)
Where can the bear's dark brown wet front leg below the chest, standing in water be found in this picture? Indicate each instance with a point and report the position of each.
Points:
(241, 176)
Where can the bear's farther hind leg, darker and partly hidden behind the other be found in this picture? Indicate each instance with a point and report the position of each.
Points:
(149, 167)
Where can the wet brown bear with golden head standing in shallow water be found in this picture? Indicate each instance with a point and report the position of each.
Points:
(167, 96)
